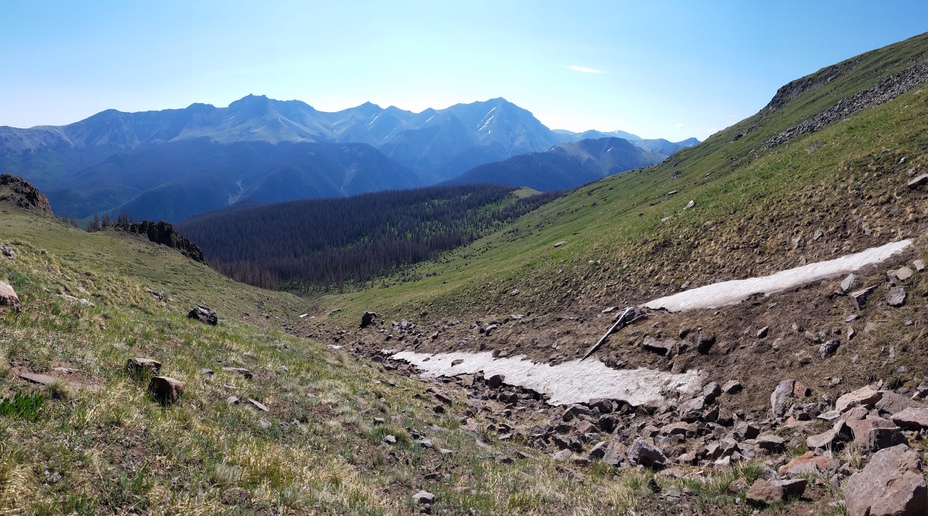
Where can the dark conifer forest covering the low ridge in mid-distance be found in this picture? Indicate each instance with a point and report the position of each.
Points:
(315, 245)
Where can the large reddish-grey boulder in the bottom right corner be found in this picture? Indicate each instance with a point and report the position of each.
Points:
(892, 483)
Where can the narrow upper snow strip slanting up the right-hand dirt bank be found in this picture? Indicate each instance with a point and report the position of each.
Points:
(735, 291)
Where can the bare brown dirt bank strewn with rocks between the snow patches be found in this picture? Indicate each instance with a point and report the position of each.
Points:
(797, 323)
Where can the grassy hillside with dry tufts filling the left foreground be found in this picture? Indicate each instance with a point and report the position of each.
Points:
(93, 442)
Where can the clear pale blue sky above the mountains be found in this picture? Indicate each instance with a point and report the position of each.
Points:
(655, 68)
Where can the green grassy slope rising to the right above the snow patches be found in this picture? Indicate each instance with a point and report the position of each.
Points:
(630, 238)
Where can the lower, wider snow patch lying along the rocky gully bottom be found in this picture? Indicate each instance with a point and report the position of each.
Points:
(569, 382)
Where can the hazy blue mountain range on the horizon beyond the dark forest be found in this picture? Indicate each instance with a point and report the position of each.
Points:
(175, 163)
